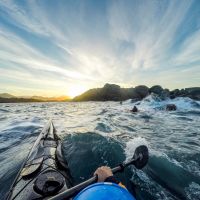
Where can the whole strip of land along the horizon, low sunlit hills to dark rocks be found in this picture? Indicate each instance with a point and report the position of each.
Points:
(111, 92)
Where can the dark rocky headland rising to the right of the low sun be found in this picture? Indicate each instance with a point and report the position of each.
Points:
(112, 92)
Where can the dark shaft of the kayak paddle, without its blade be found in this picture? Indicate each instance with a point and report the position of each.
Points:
(76, 189)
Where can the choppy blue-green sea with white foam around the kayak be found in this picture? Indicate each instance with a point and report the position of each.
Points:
(106, 133)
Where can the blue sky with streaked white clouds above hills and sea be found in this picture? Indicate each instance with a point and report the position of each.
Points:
(65, 47)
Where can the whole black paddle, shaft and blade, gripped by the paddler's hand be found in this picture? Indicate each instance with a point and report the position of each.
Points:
(139, 160)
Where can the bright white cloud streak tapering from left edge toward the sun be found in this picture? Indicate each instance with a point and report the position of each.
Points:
(16, 50)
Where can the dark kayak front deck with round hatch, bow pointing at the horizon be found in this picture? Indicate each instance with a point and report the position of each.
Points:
(44, 173)
